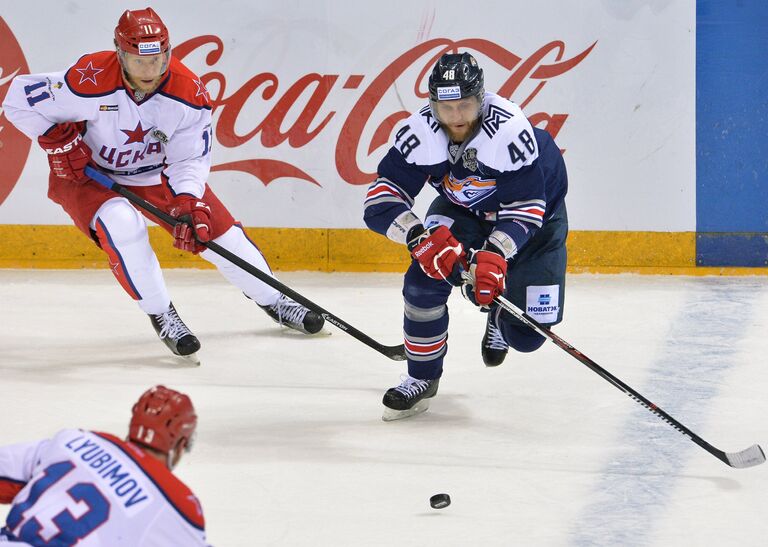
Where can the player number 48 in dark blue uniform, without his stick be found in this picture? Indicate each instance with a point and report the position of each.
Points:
(500, 216)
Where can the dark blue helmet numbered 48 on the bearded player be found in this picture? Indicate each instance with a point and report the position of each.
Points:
(456, 76)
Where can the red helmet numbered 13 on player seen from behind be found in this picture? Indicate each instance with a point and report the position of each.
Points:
(161, 419)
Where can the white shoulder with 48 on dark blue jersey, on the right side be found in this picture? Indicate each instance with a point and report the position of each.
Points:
(507, 137)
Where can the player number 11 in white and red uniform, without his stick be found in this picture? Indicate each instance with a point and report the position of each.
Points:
(145, 119)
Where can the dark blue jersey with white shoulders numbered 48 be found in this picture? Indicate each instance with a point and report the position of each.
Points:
(508, 173)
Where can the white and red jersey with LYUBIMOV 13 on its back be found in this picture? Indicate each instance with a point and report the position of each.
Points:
(93, 489)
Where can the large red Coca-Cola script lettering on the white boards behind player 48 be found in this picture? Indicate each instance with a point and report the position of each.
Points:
(543, 65)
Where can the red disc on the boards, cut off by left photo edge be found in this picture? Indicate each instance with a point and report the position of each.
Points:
(14, 146)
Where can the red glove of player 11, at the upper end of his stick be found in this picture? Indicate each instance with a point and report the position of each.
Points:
(67, 152)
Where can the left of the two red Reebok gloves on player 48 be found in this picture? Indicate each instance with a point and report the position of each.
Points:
(439, 254)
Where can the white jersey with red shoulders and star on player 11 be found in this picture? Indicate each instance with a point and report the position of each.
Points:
(135, 138)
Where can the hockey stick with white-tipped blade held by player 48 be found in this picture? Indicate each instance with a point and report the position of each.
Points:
(748, 457)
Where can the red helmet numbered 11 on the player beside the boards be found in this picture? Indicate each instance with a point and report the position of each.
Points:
(141, 32)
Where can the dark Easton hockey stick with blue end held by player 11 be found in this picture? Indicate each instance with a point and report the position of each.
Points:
(396, 353)
